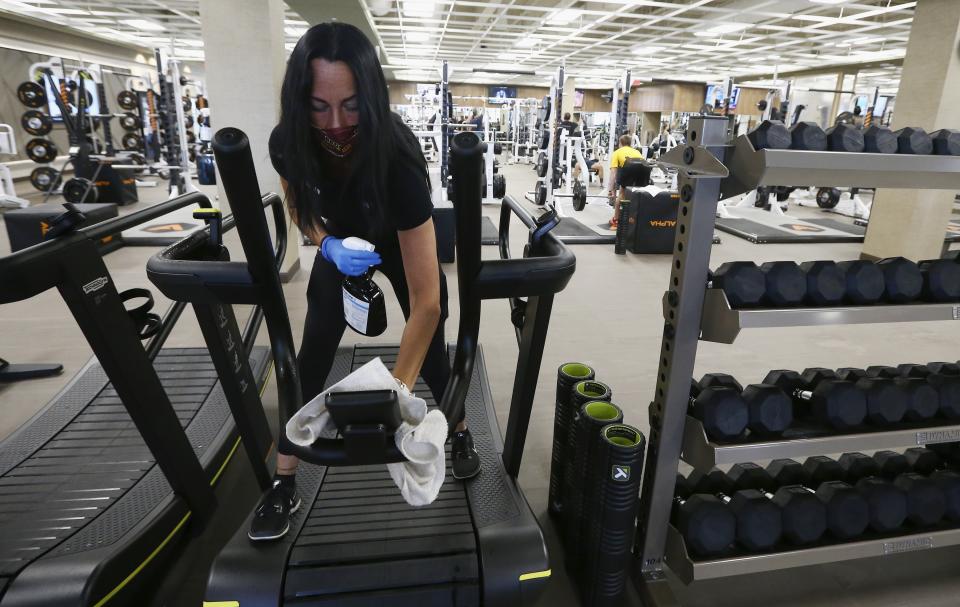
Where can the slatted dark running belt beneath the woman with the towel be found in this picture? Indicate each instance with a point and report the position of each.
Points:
(362, 543)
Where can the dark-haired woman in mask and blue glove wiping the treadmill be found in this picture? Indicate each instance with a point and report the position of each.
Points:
(350, 167)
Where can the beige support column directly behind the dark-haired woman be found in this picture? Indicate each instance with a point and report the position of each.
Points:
(243, 84)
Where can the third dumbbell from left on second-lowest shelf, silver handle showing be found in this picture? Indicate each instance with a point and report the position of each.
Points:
(824, 396)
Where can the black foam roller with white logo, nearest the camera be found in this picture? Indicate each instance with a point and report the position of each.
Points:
(610, 513)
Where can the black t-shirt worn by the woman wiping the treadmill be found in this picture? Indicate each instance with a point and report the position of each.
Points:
(407, 205)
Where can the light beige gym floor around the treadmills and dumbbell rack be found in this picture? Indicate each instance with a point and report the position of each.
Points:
(610, 317)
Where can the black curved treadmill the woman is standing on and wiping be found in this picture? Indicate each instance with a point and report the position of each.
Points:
(354, 541)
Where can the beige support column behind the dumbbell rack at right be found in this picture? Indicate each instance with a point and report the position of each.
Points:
(912, 223)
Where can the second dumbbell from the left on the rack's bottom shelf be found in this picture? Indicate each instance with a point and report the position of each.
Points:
(758, 520)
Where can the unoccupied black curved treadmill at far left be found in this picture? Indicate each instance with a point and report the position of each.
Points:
(96, 488)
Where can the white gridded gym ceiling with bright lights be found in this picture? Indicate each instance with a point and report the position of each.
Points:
(703, 40)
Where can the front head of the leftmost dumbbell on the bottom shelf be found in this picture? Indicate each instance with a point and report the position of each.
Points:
(707, 524)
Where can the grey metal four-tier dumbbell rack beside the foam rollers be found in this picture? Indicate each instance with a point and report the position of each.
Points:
(712, 167)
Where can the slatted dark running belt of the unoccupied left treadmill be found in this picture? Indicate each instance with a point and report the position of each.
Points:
(76, 461)
